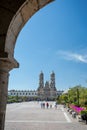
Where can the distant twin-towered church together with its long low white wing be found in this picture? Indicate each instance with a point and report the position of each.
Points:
(45, 91)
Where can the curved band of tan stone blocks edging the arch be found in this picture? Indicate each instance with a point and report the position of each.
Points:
(20, 18)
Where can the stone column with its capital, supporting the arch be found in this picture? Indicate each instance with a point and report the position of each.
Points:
(5, 66)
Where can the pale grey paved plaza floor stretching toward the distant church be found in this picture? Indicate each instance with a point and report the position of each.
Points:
(30, 116)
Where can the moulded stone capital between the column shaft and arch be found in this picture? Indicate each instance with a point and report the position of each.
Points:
(7, 64)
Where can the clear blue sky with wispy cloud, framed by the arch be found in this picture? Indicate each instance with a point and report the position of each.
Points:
(54, 39)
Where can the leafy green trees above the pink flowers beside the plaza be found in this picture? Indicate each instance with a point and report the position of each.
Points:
(76, 95)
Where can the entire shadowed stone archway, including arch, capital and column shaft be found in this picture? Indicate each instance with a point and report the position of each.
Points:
(13, 15)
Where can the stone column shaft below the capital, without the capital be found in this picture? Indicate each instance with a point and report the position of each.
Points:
(3, 96)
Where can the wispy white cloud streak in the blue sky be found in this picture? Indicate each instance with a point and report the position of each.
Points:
(73, 56)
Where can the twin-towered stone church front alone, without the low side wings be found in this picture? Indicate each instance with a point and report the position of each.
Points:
(47, 90)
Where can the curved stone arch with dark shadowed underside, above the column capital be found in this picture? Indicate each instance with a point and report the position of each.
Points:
(14, 15)
